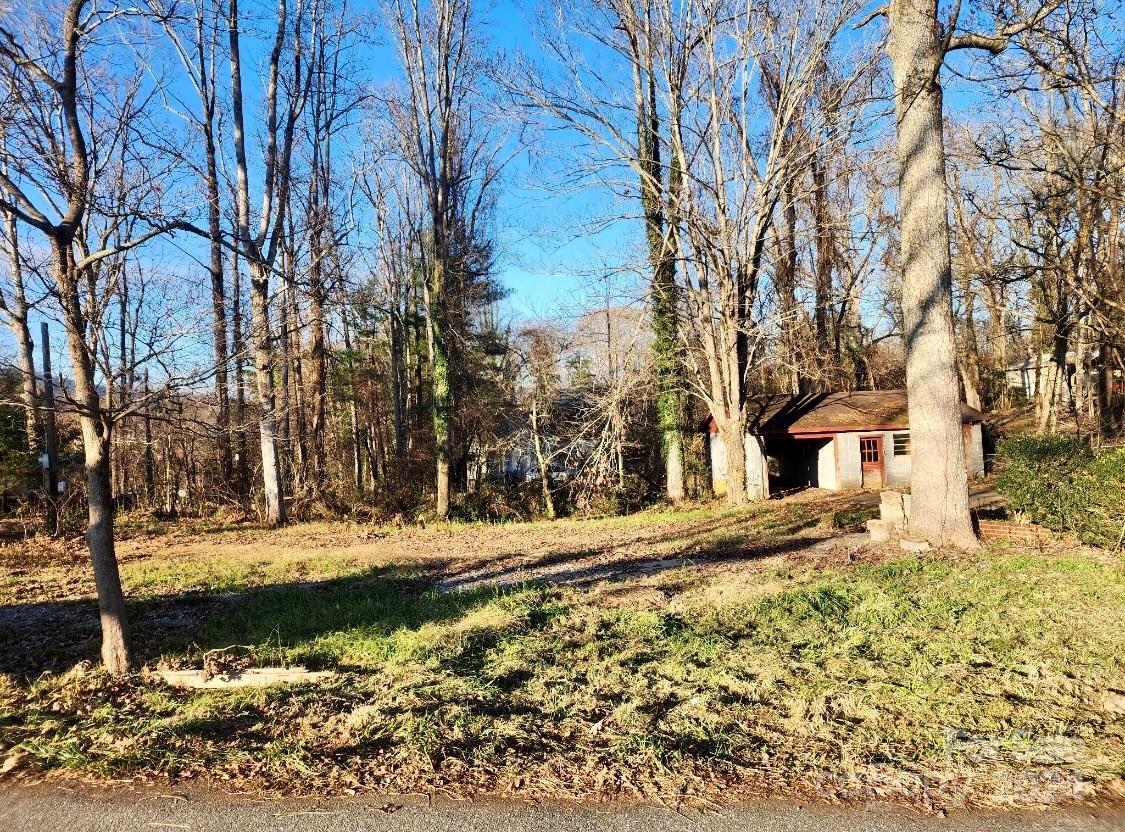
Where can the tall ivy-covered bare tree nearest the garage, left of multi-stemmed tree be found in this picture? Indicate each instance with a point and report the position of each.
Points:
(628, 131)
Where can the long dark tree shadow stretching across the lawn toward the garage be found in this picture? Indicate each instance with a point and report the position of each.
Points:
(371, 609)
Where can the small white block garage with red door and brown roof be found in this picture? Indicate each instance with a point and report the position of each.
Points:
(835, 441)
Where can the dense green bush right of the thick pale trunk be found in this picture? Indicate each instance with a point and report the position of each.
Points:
(1058, 482)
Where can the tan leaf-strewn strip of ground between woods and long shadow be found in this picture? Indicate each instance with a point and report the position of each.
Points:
(191, 557)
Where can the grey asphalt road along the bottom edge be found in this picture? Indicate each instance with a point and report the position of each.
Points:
(56, 810)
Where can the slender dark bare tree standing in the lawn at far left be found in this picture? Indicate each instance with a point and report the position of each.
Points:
(53, 157)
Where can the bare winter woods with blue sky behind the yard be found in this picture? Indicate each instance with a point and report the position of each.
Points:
(275, 239)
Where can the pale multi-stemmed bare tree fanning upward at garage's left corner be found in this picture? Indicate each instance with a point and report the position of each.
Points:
(736, 174)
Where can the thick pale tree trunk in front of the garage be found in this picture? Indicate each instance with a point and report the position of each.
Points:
(939, 482)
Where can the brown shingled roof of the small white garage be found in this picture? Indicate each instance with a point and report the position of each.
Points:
(834, 412)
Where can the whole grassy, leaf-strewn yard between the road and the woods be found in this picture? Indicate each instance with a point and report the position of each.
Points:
(703, 654)
